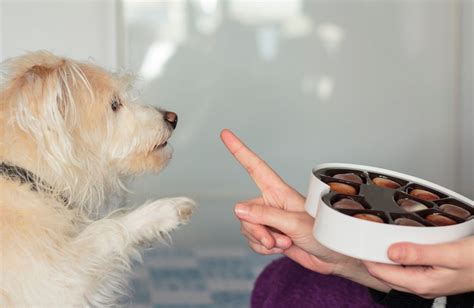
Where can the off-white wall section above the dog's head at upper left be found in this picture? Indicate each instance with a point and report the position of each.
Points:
(78, 29)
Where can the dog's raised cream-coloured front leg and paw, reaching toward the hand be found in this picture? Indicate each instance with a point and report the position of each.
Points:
(107, 246)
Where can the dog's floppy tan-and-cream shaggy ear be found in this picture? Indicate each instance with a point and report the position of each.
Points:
(44, 90)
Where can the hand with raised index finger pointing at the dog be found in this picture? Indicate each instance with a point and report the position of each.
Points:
(279, 210)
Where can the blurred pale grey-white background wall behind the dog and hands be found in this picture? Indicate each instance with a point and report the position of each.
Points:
(383, 83)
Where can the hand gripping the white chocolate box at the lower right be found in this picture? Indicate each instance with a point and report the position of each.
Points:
(429, 271)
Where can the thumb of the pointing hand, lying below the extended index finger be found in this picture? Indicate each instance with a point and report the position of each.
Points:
(290, 223)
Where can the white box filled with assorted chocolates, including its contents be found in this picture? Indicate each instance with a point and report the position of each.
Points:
(360, 211)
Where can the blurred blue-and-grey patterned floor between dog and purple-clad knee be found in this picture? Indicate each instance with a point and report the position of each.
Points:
(205, 277)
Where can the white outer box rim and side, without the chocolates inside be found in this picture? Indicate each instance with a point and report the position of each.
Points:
(368, 240)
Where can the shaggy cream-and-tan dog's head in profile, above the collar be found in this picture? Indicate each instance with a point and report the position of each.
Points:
(75, 122)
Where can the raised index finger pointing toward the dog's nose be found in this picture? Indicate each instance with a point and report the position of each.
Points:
(258, 170)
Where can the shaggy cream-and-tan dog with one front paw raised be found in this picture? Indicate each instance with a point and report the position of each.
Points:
(70, 138)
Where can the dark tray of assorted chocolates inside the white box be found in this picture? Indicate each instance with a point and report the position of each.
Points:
(393, 199)
